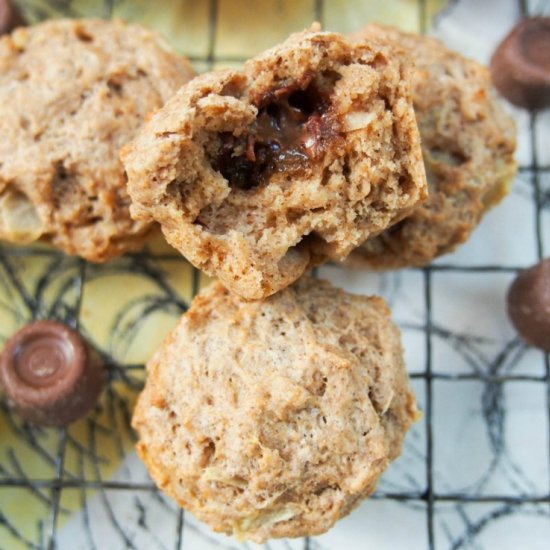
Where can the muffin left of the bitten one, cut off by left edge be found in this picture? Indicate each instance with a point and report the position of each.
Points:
(71, 94)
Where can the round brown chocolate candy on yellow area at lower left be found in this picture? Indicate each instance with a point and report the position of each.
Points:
(49, 374)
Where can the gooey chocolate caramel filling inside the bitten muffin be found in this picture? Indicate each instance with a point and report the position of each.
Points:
(295, 125)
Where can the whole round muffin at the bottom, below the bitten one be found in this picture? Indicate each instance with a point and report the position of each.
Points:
(275, 418)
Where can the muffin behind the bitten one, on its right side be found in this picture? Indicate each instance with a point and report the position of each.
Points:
(468, 143)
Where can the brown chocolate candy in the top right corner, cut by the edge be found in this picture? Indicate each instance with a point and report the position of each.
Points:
(520, 66)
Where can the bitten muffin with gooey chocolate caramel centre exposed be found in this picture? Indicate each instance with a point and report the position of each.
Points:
(257, 174)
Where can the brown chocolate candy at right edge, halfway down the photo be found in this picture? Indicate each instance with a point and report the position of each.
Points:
(529, 305)
